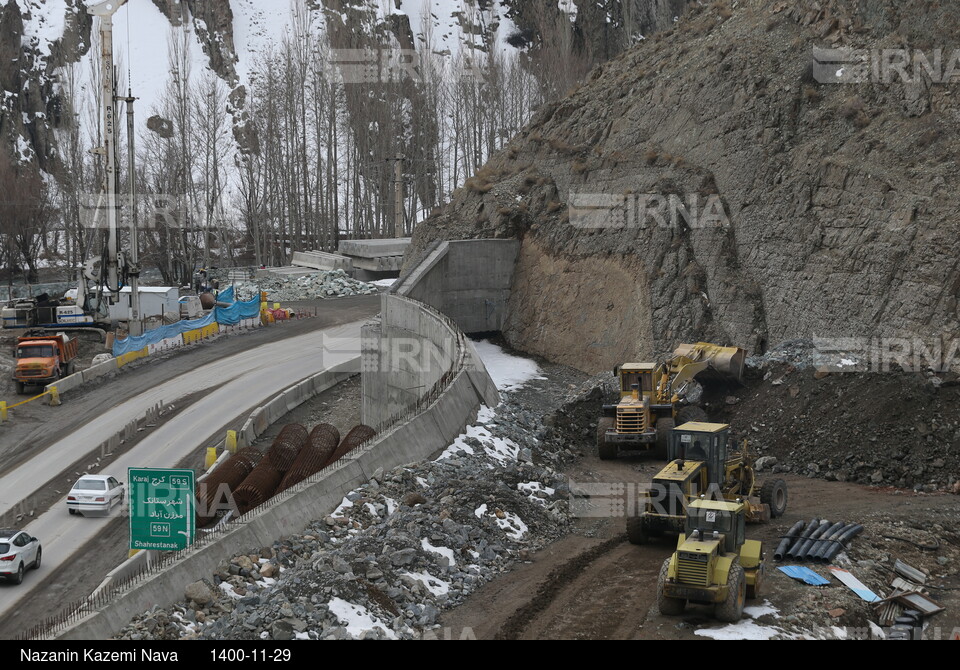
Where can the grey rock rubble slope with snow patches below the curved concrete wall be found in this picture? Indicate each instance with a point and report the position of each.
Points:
(398, 550)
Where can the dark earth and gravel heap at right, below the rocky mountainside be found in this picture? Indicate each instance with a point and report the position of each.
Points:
(898, 429)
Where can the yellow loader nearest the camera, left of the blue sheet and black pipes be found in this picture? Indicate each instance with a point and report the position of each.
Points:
(714, 563)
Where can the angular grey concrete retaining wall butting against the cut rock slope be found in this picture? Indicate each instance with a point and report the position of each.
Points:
(468, 280)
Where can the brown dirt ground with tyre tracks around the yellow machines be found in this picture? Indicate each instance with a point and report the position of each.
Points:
(593, 584)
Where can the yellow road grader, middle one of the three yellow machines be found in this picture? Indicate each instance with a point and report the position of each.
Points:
(700, 463)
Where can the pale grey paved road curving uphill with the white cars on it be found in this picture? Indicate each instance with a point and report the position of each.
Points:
(237, 384)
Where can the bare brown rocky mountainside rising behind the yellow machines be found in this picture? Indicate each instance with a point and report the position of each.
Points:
(825, 209)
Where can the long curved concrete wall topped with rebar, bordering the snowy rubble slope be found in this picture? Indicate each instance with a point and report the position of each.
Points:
(436, 417)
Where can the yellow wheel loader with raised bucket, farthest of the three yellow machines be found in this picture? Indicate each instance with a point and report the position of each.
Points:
(655, 397)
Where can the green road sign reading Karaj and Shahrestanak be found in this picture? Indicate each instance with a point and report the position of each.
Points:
(161, 508)
